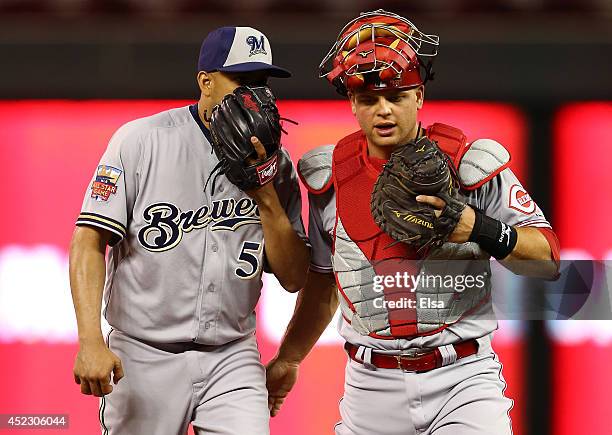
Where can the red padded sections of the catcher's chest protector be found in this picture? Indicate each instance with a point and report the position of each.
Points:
(354, 177)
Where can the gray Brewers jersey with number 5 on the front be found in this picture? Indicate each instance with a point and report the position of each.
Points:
(185, 263)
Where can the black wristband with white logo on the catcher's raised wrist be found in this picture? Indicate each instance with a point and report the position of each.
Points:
(495, 237)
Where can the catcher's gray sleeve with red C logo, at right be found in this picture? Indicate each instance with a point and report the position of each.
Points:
(504, 198)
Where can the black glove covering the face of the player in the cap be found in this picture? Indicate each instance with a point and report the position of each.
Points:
(247, 112)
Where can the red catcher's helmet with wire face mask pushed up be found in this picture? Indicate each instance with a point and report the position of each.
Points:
(379, 50)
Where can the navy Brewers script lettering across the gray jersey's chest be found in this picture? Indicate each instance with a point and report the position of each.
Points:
(167, 223)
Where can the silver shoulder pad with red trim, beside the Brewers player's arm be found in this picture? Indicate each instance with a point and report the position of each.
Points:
(315, 169)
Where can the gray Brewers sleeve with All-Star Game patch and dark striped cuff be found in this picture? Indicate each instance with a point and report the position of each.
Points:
(110, 195)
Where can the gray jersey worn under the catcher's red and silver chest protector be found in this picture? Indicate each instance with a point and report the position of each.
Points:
(502, 198)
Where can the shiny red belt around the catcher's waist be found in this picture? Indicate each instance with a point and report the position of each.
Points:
(414, 360)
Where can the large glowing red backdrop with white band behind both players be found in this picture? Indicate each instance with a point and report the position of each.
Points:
(49, 150)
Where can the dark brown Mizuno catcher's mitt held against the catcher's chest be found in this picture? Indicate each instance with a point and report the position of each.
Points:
(418, 168)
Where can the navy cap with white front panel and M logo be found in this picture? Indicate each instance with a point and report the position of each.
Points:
(238, 49)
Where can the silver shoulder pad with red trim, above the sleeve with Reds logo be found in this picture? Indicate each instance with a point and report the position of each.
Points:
(484, 159)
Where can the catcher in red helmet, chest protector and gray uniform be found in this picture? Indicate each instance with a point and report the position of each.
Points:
(419, 351)
